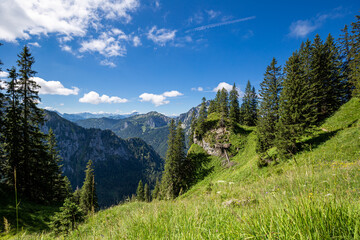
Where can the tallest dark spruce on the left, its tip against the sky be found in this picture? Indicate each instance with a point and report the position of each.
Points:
(33, 153)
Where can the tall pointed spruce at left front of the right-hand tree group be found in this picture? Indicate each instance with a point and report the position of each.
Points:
(268, 116)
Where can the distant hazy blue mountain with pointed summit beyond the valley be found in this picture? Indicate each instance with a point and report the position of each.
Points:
(151, 127)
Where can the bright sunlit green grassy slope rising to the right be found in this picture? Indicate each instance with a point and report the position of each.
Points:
(314, 195)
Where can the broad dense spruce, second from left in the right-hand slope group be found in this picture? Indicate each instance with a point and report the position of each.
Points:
(295, 109)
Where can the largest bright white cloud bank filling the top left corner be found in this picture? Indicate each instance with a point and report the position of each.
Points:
(21, 19)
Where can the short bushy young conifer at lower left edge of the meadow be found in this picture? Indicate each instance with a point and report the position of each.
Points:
(67, 219)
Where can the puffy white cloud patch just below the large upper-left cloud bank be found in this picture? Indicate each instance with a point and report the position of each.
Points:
(108, 44)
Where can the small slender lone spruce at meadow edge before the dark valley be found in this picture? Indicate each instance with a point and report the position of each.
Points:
(88, 197)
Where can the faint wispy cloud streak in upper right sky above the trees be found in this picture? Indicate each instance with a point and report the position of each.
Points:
(302, 28)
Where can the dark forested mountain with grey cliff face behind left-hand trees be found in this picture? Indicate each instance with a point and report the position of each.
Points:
(125, 161)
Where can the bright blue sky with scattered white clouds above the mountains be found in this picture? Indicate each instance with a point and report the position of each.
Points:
(136, 55)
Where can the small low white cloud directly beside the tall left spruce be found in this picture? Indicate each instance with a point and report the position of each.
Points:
(54, 88)
